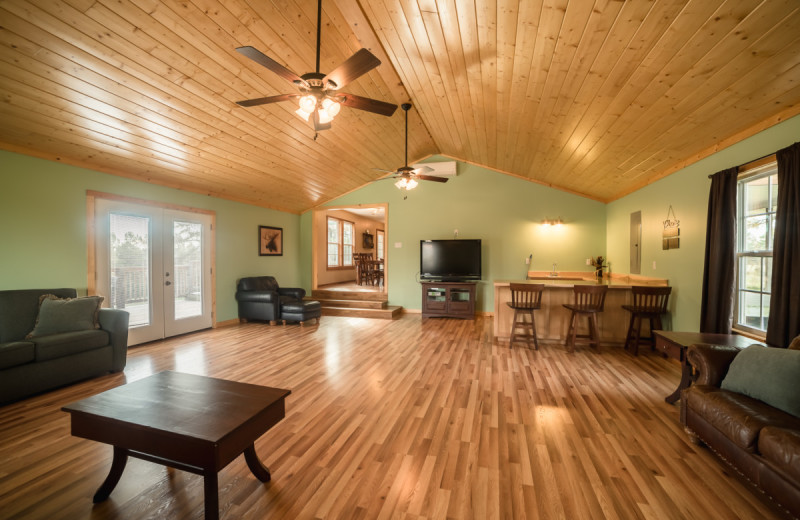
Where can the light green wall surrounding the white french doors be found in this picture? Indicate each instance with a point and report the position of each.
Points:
(43, 228)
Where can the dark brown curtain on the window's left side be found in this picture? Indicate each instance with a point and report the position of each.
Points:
(719, 270)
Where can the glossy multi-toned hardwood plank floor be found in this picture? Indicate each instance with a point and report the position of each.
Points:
(396, 419)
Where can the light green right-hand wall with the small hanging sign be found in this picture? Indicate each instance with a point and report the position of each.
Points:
(687, 192)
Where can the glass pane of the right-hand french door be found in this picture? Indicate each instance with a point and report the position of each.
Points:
(188, 256)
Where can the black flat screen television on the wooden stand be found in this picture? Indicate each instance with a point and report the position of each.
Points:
(450, 260)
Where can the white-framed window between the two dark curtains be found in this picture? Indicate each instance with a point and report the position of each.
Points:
(757, 201)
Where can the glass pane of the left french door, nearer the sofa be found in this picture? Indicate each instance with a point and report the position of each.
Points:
(130, 267)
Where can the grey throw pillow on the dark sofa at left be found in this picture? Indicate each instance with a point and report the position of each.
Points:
(58, 315)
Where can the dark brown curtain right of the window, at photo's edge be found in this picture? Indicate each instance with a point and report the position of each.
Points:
(784, 309)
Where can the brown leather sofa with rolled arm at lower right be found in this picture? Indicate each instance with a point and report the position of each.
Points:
(760, 442)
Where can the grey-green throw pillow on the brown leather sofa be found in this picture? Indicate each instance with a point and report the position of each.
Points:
(767, 374)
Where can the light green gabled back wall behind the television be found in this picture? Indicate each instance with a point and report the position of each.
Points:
(503, 211)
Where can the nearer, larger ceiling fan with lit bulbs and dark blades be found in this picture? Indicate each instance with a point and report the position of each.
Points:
(317, 92)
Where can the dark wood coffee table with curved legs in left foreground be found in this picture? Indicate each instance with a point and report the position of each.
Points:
(188, 422)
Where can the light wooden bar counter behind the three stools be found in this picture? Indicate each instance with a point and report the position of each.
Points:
(552, 320)
